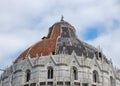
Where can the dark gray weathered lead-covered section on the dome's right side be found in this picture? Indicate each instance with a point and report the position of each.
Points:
(68, 42)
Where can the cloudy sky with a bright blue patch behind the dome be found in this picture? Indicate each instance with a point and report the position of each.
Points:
(24, 22)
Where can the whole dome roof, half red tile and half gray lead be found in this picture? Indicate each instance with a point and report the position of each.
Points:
(61, 38)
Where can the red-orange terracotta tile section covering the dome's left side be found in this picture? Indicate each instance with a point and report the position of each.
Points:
(44, 47)
